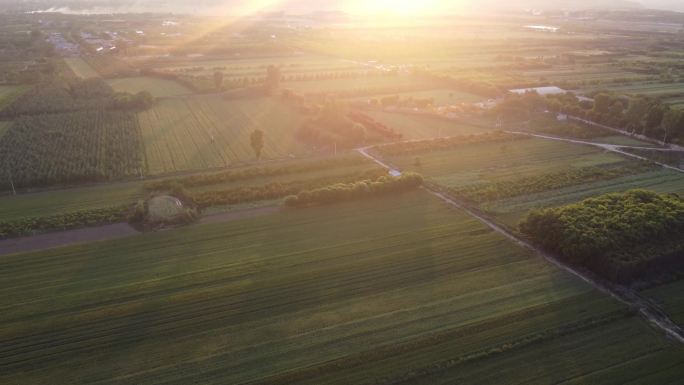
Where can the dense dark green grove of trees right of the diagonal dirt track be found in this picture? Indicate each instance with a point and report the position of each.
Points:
(620, 236)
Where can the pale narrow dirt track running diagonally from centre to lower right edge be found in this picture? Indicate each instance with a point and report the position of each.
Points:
(646, 308)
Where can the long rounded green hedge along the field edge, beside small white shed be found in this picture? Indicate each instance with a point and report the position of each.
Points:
(357, 190)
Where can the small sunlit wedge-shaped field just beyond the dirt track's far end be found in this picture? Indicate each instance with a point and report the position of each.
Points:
(423, 127)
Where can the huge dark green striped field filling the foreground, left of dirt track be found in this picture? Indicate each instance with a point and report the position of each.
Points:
(351, 293)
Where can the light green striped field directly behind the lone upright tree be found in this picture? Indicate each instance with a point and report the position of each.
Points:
(207, 131)
